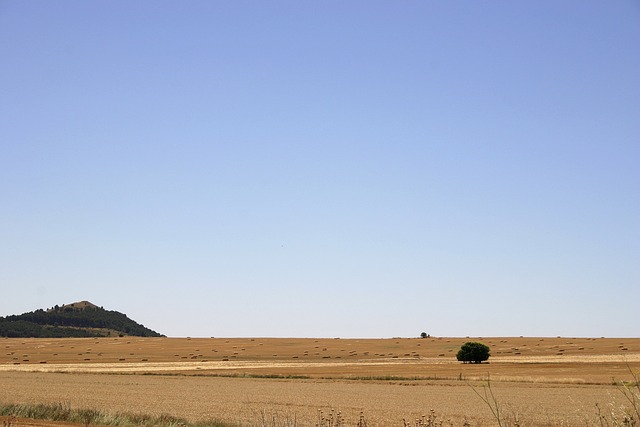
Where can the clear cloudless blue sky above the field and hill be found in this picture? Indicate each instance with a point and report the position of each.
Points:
(321, 169)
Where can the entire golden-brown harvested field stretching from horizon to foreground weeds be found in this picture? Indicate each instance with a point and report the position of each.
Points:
(545, 381)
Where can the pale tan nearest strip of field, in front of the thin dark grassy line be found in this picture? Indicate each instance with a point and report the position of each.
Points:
(268, 402)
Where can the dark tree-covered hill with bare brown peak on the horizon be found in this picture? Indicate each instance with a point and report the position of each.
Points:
(80, 319)
